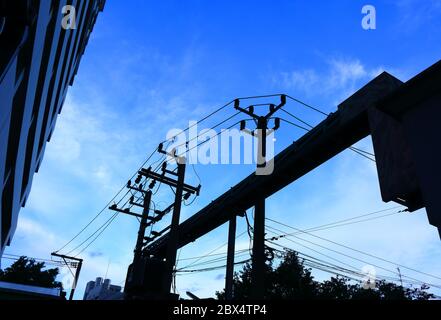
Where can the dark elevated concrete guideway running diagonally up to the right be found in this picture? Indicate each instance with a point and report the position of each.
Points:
(380, 101)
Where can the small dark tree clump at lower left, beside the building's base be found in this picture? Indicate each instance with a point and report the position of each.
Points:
(27, 271)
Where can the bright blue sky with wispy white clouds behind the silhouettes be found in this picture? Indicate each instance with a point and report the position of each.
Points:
(151, 66)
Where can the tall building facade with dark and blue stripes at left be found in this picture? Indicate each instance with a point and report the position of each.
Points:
(38, 61)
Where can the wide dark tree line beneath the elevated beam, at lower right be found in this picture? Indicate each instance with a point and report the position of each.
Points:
(292, 280)
